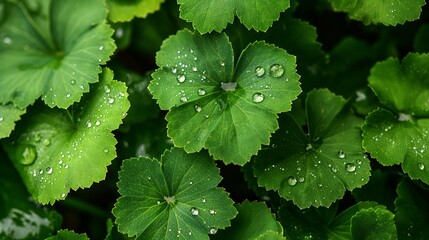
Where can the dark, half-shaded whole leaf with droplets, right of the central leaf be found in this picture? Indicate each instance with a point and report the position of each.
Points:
(315, 169)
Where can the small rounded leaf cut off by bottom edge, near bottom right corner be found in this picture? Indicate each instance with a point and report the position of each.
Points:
(373, 223)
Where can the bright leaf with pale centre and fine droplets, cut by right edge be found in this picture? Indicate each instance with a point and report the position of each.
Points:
(400, 135)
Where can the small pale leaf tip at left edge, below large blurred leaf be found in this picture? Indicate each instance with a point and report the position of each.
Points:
(8, 116)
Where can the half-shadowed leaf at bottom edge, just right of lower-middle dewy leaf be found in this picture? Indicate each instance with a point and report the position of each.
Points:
(254, 221)
